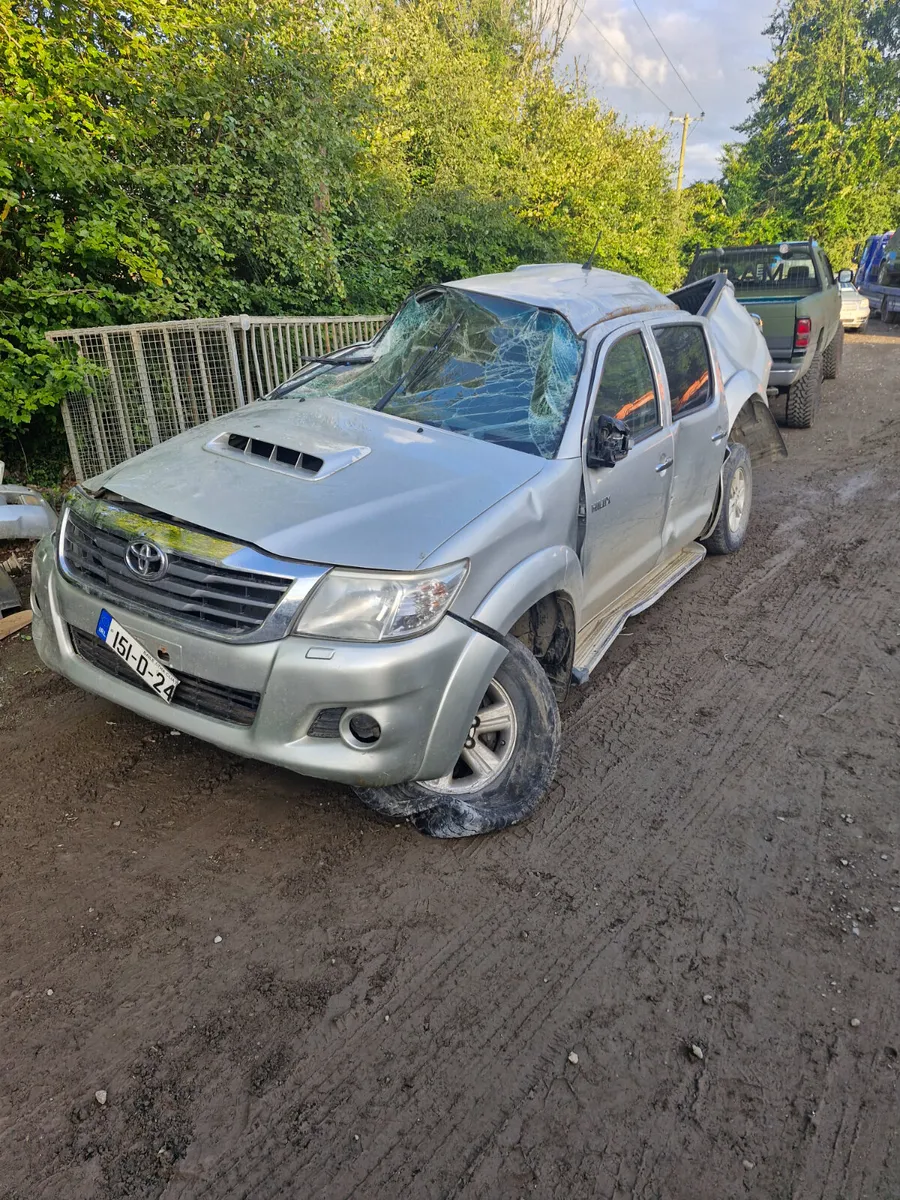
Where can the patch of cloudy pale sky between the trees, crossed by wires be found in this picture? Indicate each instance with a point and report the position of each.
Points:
(715, 46)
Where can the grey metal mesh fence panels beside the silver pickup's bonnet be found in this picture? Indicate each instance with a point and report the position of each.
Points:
(155, 381)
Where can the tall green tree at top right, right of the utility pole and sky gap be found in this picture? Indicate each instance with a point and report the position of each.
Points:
(823, 152)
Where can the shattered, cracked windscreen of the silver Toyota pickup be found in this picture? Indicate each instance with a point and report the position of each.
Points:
(488, 368)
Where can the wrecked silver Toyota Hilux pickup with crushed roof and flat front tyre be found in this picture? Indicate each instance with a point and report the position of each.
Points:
(389, 572)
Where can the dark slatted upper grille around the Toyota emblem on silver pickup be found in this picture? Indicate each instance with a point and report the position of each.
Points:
(202, 596)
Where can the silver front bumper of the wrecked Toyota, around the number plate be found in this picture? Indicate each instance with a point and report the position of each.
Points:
(423, 692)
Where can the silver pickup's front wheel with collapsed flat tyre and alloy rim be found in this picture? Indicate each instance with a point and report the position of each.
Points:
(503, 772)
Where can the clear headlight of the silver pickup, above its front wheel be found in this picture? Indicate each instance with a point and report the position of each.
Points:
(362, 607)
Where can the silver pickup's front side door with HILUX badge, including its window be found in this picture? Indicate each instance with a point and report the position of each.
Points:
(626, 505)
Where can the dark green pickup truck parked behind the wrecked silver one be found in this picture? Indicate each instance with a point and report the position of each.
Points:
(793, 290)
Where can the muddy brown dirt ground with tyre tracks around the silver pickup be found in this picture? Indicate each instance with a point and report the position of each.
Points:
(389, 1017)
